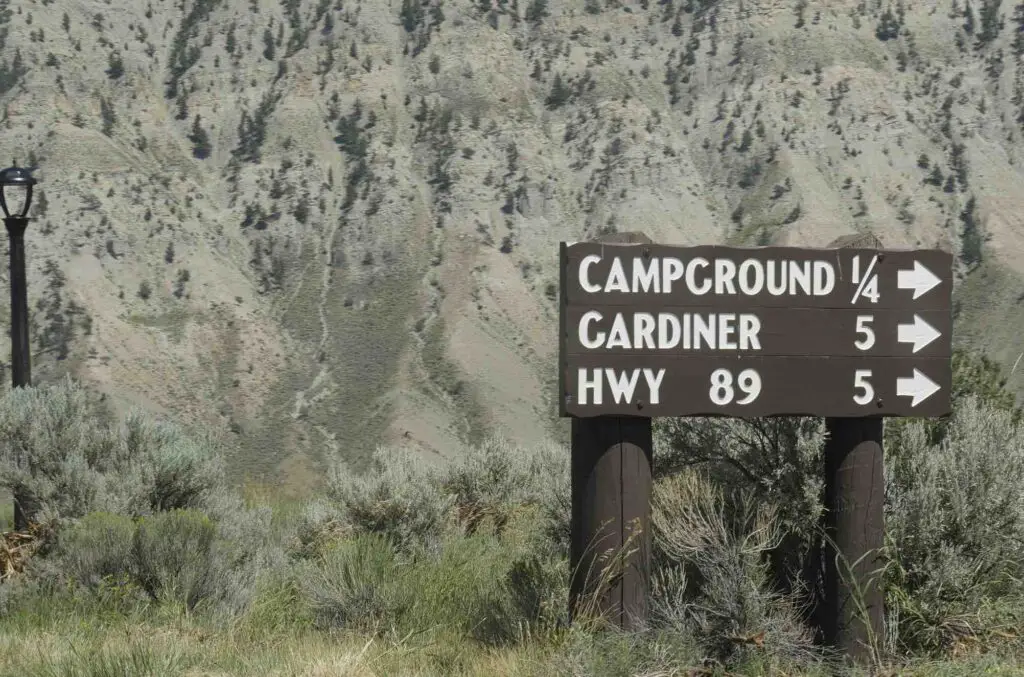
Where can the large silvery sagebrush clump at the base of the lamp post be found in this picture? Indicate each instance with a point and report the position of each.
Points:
(65, 467)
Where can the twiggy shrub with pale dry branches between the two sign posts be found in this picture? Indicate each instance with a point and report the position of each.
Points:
(714, 583)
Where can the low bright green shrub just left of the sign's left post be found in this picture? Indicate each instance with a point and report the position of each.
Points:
(489, 587)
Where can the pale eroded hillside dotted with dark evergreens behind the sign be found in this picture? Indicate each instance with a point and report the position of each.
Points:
(314, 224)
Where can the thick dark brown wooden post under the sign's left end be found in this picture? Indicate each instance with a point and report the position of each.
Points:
(611, 493)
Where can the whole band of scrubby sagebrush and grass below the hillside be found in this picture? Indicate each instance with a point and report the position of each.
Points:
(142, 561)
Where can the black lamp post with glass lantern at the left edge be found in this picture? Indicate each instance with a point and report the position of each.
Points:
(16, 197)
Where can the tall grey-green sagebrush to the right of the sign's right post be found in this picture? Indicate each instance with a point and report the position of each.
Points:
(956, 518)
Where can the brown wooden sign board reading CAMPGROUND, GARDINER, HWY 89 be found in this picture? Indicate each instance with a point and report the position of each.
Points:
(654, 330)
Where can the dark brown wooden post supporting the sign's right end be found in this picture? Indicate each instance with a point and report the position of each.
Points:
(851, 613)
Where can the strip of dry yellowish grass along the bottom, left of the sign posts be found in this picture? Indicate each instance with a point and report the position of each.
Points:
(78, 649)
